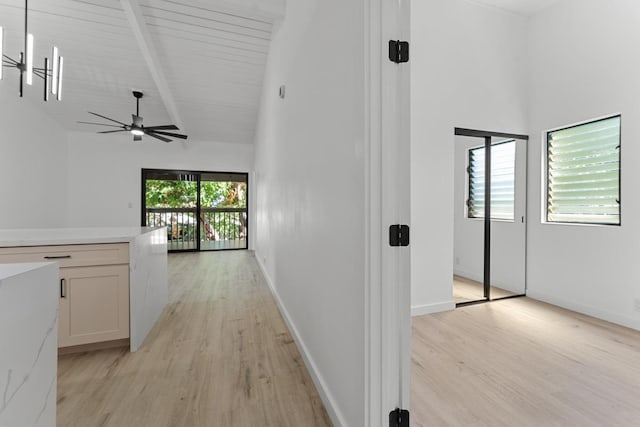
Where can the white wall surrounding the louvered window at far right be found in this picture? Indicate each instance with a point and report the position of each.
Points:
(583, 66)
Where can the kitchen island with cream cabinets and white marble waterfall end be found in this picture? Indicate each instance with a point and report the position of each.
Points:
(113, 280)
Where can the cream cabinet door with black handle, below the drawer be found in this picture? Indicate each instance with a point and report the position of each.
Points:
(94, 304)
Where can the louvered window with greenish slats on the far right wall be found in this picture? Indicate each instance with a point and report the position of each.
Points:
(583, 173)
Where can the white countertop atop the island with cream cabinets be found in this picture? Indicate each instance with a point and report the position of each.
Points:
(70, 236)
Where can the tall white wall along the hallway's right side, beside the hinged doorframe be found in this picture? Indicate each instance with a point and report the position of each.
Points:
(310, 183)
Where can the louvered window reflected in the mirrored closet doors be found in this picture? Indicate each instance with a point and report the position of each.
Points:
(503, 157)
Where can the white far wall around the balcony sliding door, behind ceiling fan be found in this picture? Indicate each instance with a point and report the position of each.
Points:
(104, 174)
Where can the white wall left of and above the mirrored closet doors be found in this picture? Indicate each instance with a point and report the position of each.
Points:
(468, 69)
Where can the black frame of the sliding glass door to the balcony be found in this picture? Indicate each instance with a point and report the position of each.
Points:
(197, 177)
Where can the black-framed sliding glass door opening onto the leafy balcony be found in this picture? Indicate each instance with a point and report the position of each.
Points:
(202, 211)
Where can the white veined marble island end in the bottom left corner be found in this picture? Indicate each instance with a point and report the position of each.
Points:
(28, 343)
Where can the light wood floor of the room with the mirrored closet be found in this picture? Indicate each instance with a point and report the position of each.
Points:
(519, 362)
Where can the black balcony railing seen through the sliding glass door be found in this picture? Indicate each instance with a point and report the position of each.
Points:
(220, 228)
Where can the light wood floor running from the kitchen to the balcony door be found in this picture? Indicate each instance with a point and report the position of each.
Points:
(220, 355)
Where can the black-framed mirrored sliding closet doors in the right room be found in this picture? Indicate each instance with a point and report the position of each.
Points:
(490, 216)
